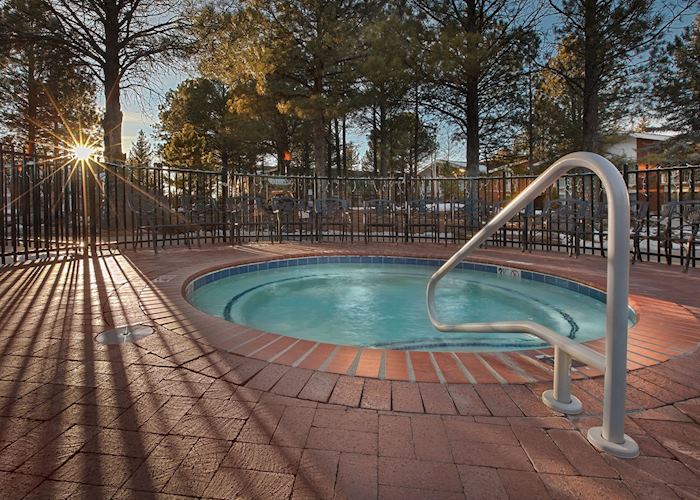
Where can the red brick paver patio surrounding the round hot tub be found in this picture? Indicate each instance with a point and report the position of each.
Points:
(197, 410)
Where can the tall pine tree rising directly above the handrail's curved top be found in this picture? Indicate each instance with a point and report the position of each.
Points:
(608, 40)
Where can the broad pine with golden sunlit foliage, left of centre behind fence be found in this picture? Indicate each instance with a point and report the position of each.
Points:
(301, 54)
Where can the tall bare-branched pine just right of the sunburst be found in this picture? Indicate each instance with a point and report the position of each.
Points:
(117, 41)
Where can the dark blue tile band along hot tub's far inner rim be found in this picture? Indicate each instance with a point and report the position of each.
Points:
(556, 281)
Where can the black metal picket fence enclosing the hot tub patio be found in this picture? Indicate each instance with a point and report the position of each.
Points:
(51, 205)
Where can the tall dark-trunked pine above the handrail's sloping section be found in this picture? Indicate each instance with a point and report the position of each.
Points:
(475, 69)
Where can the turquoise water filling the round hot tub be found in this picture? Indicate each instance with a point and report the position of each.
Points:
(383, 305)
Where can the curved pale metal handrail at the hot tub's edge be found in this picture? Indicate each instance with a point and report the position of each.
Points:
(610, 437)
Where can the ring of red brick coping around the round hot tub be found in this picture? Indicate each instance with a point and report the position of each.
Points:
(646, 346)
